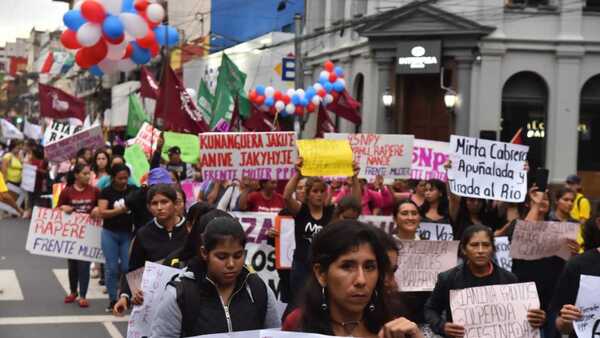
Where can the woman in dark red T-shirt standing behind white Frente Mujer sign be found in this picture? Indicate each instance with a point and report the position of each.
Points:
(81, 197)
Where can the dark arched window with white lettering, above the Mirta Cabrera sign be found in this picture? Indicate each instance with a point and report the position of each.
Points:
(525, 106)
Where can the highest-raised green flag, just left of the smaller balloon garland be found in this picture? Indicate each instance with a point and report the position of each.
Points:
(230, 83)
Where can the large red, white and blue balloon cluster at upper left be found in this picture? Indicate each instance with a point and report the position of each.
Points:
(116, 35)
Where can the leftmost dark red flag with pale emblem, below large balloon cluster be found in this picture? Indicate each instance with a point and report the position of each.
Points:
(56, 104)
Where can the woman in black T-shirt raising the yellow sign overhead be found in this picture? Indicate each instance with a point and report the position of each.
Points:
(310, 216)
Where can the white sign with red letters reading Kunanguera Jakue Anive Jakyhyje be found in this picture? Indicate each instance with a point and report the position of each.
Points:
(261, 156)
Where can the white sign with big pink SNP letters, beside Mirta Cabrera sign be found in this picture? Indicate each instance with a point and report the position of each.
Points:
(428, 159)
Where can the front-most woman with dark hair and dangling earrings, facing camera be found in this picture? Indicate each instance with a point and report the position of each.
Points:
(345, 295)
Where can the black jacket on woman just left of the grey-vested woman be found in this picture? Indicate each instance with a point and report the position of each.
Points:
(153, 243)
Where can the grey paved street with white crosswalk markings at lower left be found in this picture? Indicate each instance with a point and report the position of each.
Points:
(31, 304)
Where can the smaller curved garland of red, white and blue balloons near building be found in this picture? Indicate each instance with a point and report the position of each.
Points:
(297, 101)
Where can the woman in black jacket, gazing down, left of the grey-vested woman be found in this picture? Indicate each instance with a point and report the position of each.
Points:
(154, 241)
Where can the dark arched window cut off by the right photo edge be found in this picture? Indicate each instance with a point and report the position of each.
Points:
(589, 126)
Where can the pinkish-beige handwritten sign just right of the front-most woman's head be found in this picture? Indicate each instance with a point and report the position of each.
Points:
(419, 263)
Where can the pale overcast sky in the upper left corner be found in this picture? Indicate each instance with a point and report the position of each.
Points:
(18, 17)
